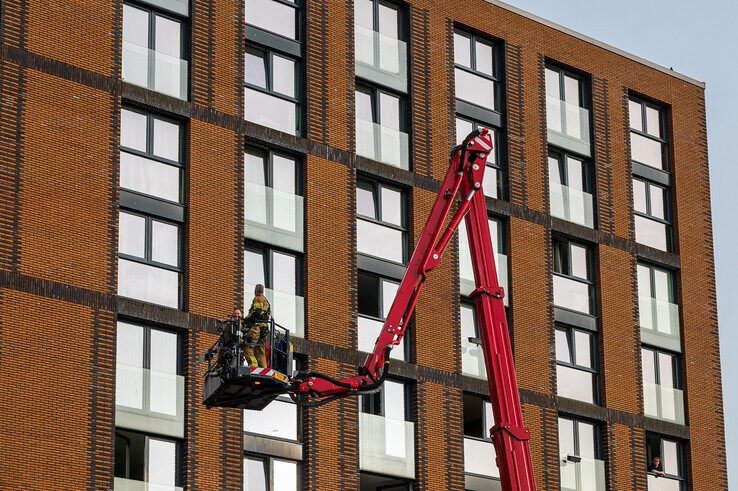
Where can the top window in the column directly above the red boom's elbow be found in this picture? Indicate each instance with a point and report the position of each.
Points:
(476, 71)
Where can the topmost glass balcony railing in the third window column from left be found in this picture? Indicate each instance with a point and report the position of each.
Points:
(381, 58)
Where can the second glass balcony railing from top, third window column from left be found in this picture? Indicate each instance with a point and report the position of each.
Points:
(381, 143)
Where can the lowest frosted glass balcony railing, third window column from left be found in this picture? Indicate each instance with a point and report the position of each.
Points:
(386, 446)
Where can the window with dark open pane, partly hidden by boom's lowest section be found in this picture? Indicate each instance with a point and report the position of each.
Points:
(479, 453)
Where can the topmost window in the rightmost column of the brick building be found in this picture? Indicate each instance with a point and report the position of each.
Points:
(647, 134)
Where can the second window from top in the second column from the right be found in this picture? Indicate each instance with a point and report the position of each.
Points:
(570, 185)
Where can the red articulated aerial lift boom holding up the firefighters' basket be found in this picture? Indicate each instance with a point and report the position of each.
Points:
(509, 435)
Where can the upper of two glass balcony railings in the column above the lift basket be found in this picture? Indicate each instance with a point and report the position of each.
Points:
(273, 216)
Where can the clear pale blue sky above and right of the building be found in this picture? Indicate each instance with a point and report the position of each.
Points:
(699, 39)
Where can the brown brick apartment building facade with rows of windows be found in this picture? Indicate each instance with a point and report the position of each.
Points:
(133, 133)
